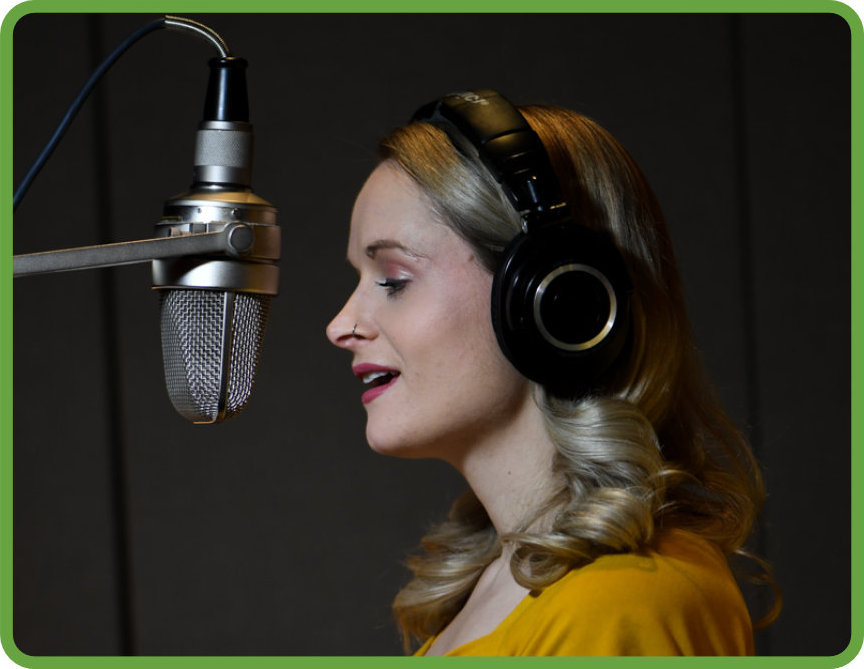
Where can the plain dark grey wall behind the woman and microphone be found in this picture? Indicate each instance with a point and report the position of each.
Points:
(279, 532)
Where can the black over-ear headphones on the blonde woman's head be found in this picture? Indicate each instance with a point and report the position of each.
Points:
(561, 295)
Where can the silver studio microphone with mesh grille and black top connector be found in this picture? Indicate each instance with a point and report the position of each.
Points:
(214, 309)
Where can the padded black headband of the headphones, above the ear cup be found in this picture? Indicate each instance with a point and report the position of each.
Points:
(506, 145)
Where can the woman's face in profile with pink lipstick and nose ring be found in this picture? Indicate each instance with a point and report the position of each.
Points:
(435, 380)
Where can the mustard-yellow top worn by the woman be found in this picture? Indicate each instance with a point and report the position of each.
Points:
(678, 598)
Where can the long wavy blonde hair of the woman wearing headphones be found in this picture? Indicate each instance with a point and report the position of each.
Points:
(652, 448)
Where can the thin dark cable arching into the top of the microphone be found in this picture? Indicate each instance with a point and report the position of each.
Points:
(169, 22)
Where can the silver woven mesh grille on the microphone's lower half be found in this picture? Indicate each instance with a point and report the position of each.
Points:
(211, 342)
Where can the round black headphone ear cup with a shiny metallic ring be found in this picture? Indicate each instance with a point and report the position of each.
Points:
(561, 306)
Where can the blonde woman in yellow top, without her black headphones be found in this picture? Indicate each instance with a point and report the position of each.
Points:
(601, 514)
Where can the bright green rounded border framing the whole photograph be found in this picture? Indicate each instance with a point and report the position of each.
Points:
(16, 12)
